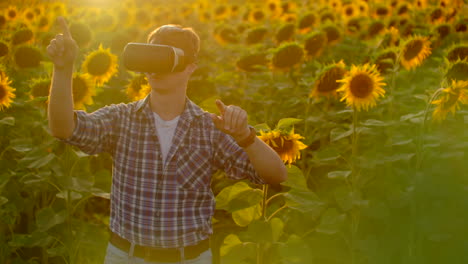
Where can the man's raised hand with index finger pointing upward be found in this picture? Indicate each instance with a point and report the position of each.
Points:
(63, 49)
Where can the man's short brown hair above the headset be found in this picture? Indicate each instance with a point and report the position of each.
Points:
(179, 37)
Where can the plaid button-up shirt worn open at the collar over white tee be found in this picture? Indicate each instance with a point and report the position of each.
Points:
(154, 204)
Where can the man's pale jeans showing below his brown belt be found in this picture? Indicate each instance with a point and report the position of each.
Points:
(115, 255)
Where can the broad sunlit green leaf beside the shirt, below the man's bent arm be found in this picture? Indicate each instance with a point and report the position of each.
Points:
(237, 197)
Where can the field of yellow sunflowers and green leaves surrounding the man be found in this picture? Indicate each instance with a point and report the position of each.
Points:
(365, 101)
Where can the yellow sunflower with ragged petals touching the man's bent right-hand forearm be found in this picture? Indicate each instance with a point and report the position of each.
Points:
(286, 144)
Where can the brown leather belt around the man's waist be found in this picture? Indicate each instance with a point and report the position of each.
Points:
(160, 254)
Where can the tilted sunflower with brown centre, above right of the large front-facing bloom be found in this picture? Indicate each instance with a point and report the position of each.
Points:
(415, 50)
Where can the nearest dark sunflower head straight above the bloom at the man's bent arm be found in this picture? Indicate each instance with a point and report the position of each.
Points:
(287, 55)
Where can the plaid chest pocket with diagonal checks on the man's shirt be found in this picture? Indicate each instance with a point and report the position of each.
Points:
(194, 169)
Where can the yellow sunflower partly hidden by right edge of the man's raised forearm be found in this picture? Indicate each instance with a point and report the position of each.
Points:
(83, 90)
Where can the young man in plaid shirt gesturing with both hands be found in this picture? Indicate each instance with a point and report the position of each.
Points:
(165, 149)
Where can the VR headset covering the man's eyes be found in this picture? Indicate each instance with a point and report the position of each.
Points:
(153, 58)
